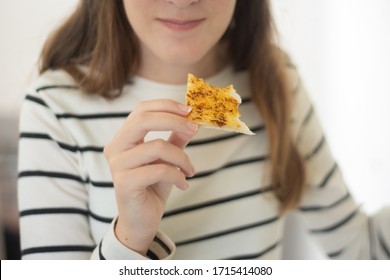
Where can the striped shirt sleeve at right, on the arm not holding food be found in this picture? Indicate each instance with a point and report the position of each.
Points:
(328, 209)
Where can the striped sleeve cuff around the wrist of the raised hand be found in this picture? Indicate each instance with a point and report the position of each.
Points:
(110, 248)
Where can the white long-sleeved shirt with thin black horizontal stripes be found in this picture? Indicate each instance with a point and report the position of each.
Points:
(67, 201)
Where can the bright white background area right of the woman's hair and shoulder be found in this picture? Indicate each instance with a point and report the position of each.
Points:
(342, 48)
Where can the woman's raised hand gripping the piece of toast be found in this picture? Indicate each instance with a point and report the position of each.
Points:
(144, 172)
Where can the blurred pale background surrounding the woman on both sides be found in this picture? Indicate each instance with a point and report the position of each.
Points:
(341, 48)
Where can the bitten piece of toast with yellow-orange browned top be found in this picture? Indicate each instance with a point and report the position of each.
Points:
(213, 106)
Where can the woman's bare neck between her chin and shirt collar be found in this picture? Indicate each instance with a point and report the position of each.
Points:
(162, 72)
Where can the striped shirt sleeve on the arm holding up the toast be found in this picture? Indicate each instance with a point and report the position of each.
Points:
(53, 194)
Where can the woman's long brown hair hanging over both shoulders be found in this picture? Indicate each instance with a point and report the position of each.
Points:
(98, 35)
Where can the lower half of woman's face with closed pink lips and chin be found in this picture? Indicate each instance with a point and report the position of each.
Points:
(179, 33)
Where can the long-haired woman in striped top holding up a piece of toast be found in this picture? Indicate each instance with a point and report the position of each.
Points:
(111, 169)
